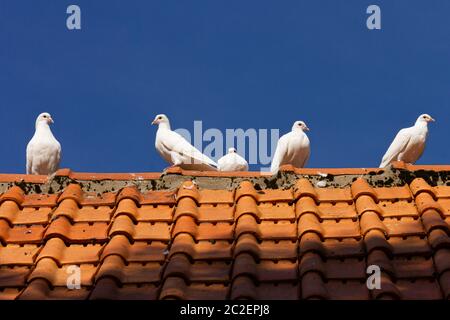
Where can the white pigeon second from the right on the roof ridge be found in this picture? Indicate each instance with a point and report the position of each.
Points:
(292, 148)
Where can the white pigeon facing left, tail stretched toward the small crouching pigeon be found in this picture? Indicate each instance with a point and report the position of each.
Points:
(177, 151)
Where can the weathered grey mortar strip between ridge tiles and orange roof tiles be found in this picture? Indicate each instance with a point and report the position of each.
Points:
(284, 180)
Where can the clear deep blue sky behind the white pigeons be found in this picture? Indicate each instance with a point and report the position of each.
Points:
(232, 64)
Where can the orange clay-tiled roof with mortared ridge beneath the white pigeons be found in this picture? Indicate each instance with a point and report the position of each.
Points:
(304, 234)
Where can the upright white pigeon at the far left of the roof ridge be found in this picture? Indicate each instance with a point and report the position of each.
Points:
(43, 150)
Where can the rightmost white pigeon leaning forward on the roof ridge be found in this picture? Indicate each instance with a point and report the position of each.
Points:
(409, 143)
